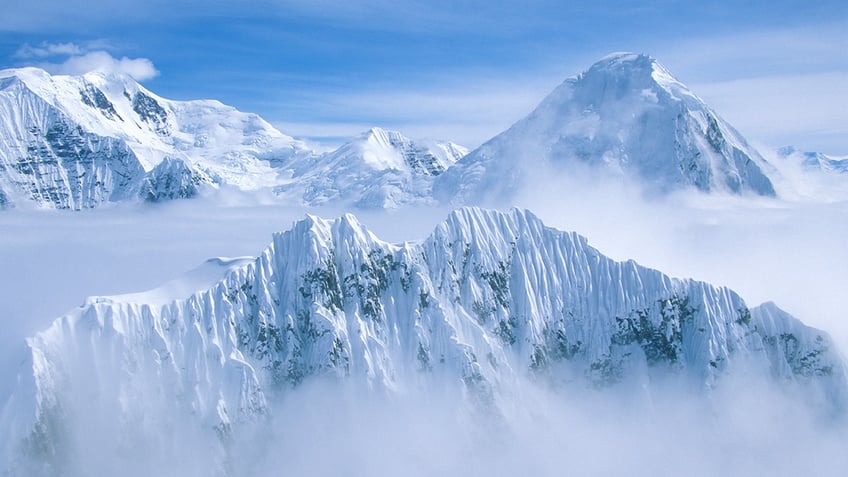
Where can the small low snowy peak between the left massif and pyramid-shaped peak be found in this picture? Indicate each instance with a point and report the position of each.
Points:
(378, 169)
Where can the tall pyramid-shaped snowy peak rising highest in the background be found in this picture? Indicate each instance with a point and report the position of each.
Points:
(626, 115)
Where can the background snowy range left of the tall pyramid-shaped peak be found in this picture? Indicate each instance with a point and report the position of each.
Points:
(75, 142)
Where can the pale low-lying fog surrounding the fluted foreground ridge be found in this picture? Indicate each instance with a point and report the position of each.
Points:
(792, 252)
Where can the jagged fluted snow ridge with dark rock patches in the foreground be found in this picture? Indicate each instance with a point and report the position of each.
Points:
(486, 299)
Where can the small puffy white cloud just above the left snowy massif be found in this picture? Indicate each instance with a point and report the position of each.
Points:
(76, 59)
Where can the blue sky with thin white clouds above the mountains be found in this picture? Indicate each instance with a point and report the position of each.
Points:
(461, 70)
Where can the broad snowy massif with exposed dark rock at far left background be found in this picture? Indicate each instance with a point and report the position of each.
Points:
(76, 142)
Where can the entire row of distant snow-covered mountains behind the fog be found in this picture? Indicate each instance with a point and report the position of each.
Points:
(77, 142)
